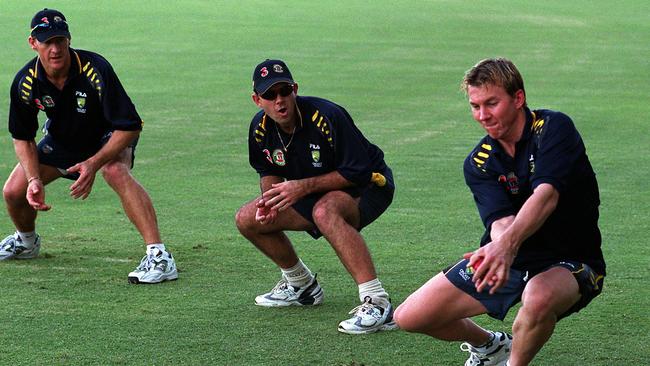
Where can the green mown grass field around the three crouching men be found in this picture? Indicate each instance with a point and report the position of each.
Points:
(396, 67)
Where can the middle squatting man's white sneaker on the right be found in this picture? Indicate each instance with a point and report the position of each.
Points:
(369, 318)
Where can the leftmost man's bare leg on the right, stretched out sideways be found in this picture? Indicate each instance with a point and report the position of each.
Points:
(135, 199)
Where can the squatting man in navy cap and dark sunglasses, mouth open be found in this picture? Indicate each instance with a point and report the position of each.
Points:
(318, 174)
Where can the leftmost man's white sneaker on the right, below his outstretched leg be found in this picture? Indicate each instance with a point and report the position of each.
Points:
(155, 267)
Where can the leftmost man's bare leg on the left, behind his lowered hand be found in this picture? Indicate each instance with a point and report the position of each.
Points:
(21, 213)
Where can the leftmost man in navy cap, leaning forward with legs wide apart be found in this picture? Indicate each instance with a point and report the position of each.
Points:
(92, 125)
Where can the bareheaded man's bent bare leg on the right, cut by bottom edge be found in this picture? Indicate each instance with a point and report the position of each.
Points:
(547, 295)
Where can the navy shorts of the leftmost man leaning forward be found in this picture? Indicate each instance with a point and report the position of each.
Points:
(54, 154)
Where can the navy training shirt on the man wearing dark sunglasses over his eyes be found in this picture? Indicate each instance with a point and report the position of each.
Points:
(325, 140)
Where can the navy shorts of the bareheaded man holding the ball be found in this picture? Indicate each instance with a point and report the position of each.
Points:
(590, 284)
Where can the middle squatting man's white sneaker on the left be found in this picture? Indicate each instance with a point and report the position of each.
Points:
(284, 294)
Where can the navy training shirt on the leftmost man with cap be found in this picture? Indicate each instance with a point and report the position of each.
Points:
(91, 103)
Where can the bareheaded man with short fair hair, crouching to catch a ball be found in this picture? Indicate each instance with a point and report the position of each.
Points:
(537, 196)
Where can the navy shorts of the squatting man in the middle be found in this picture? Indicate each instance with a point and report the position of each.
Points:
(374, 201)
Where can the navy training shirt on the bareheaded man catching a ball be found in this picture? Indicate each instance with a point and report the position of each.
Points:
(549, 151)
